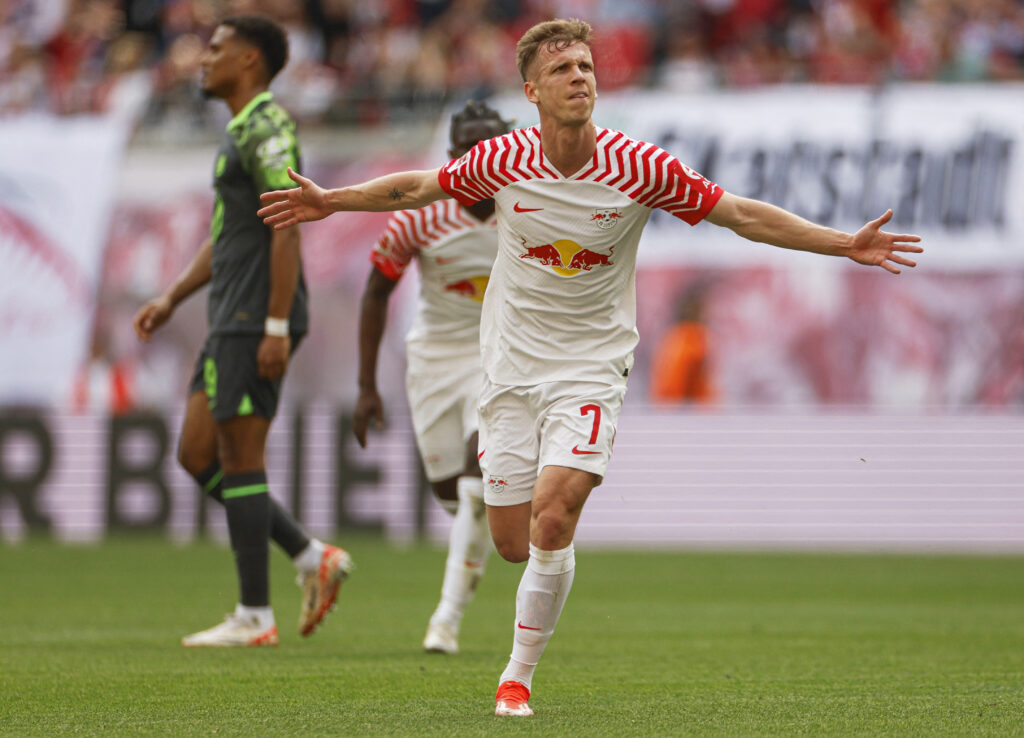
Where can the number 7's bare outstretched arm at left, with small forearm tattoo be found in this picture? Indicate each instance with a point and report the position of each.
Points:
(403, 191)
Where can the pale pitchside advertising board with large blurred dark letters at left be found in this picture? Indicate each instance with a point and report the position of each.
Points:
(691, 479)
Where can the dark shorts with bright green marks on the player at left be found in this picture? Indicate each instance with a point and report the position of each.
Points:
(228, 372)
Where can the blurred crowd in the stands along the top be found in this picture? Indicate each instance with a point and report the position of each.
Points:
(364, 62)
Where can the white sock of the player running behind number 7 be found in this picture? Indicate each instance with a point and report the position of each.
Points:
(470, 546)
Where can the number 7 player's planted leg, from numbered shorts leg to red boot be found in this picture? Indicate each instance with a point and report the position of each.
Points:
(579, 430)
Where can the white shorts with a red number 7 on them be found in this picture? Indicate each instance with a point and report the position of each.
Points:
(525, 429)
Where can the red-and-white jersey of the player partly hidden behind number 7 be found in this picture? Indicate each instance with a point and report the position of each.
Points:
(455, 253)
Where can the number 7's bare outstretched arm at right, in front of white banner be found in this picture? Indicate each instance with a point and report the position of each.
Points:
(763, 223)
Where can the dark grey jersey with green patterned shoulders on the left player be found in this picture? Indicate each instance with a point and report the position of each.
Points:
(260, 147)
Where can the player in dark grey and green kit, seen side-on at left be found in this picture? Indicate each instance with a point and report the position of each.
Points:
(258, 316)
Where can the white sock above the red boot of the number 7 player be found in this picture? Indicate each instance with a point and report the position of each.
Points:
(543, 590)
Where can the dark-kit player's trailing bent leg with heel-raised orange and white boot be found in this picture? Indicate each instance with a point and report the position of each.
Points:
(322, 568)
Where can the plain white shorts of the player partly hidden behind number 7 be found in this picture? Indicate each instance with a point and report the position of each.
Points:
(444, 404)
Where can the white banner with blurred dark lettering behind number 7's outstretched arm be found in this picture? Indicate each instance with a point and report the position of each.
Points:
(948, 159)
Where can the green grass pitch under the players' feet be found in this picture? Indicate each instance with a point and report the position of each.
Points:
(661, 644)
